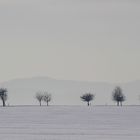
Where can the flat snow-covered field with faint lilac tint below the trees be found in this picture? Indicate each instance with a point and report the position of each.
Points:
(70, 123)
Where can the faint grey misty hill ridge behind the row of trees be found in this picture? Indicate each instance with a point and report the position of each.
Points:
(66, 92)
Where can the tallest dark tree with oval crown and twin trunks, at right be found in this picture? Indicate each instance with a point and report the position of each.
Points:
(118, 96)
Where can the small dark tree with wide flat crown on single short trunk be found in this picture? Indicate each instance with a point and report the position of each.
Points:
(87, 97)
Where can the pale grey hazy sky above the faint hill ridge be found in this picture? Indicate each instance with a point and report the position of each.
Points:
(92, 40)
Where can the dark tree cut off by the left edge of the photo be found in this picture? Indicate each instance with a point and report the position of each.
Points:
(3, 95)
